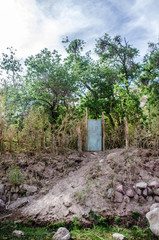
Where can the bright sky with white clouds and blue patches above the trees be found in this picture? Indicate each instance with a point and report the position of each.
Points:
(31, 25)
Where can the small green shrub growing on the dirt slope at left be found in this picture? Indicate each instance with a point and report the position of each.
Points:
(14, 175)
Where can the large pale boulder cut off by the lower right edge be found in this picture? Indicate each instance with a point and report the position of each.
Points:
(153, 218)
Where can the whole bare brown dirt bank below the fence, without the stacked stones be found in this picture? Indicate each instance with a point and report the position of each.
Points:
(72, 185)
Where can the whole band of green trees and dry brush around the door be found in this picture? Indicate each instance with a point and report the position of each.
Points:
(43, 99)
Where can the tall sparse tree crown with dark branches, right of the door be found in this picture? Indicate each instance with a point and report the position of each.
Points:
(120, 55)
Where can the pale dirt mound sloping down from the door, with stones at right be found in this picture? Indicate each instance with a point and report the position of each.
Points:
(102, 182)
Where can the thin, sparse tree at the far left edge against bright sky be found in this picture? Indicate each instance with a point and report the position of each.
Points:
(12, 84)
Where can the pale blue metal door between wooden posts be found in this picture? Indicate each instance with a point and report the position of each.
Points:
(94, 135)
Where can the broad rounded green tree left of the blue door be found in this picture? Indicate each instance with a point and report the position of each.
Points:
(49, 83)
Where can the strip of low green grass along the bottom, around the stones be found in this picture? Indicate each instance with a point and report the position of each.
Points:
(77, 233)
